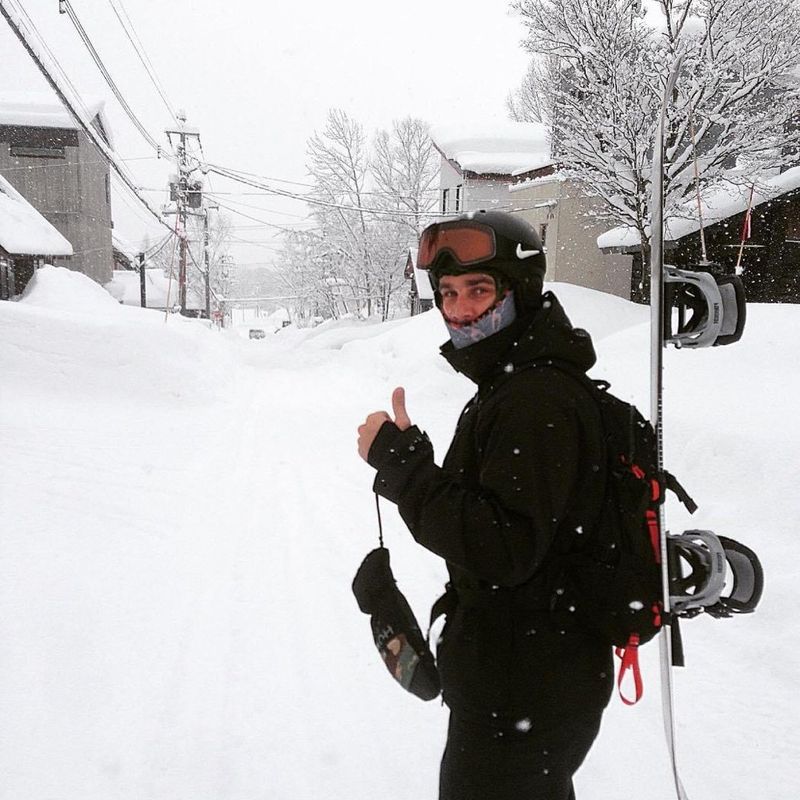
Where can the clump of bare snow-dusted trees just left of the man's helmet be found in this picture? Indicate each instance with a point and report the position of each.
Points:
(370, 207)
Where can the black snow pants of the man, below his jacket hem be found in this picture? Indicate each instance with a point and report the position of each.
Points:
(514, 760)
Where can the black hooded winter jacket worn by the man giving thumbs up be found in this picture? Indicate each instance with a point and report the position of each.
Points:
(521, 483)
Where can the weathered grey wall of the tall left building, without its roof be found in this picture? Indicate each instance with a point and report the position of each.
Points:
(71, 191)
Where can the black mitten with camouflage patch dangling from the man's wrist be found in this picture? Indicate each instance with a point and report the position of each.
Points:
(394, 628)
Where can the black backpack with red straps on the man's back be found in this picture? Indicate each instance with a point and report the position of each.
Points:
(613, 577)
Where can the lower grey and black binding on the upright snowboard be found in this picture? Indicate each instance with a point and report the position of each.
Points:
(712, 573)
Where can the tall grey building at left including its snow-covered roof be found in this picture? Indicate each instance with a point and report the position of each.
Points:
(56, 167)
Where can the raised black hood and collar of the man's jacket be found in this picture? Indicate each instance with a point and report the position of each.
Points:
(547, 333)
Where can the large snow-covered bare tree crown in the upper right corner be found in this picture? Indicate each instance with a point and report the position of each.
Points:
(596, 77)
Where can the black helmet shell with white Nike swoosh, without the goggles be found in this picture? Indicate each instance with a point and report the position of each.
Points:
(519, 256)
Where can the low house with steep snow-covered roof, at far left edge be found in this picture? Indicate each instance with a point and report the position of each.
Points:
(27, 240)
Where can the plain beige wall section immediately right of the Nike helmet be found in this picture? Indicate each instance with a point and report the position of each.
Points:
(571, 237)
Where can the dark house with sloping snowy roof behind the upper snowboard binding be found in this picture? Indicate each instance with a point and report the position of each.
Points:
(765, 251)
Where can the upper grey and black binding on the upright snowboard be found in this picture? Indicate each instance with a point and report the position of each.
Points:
(702, 308)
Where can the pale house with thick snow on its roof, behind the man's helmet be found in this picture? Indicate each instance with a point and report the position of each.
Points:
(510, 167)
